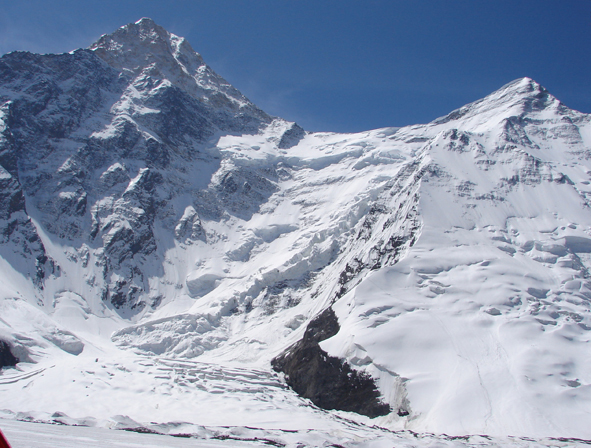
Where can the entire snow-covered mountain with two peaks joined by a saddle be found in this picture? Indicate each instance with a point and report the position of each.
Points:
(171, 253)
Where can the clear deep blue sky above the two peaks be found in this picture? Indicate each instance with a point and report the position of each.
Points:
(345, 65)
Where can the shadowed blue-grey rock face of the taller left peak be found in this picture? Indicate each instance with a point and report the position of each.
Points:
(92, 137)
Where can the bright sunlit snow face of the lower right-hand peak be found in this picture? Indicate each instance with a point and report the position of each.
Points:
(486, 320)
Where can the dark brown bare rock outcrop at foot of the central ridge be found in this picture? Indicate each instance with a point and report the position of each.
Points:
(328, 382)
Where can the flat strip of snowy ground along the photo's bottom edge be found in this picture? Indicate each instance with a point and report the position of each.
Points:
(22, 434)
